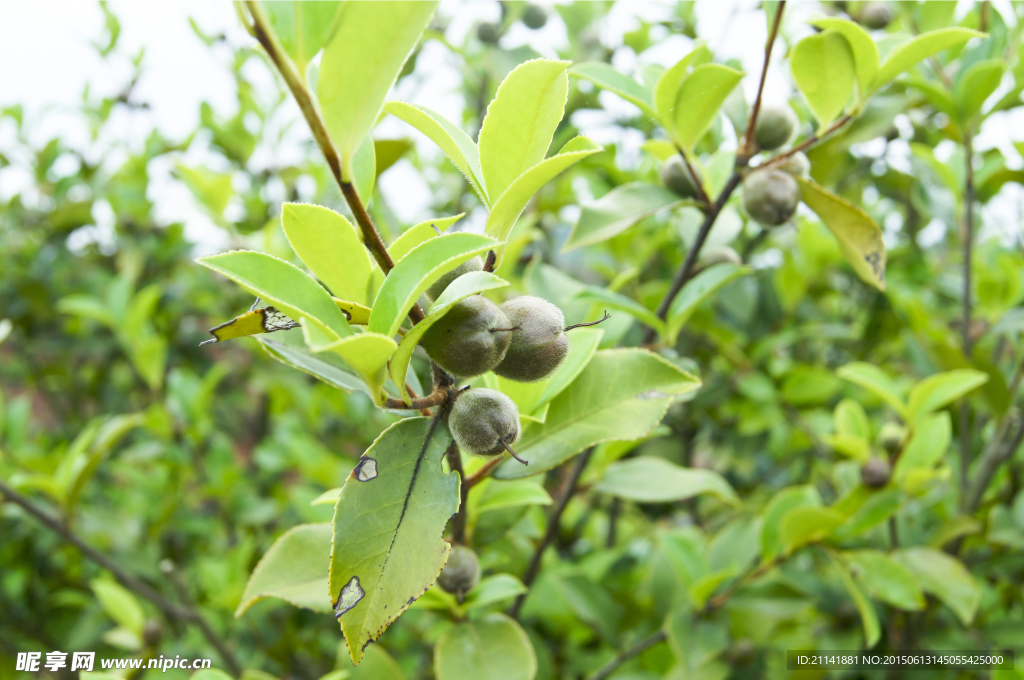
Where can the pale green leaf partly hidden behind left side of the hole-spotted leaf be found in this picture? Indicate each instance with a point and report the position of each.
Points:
(293, 570)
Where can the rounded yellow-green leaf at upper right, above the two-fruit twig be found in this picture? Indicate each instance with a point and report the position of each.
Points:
(824, 69)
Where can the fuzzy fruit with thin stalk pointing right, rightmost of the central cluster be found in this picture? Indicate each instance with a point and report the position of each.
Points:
(539, 346)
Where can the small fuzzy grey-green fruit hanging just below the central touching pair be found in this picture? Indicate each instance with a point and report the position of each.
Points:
(485, 422)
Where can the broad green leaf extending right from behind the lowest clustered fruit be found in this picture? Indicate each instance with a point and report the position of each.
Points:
(622, 395)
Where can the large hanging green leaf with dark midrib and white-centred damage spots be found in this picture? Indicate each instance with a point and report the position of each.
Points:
(389, 523)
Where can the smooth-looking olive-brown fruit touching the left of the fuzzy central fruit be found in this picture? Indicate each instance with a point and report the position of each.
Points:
(471, 339)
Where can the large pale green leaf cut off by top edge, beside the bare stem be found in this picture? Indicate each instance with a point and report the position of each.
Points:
(361, 63)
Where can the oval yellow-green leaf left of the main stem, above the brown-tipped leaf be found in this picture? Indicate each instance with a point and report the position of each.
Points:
(331, 247)
